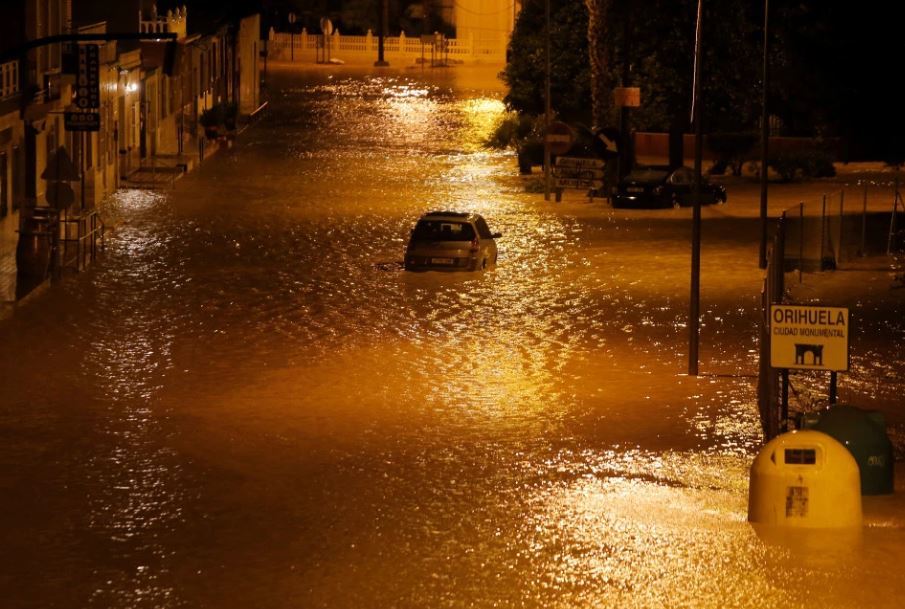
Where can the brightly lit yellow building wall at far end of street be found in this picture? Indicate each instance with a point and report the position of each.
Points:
(488, 22)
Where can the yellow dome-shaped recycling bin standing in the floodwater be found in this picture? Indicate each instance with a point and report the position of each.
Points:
(805, 479)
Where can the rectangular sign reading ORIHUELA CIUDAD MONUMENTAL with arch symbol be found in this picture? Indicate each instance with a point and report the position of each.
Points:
(809, 337)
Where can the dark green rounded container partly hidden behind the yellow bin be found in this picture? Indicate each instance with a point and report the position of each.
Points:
(863, 433)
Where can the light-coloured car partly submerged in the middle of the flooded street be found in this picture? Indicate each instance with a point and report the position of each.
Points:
(451, 241)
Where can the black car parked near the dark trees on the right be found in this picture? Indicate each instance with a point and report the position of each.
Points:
(660, 186)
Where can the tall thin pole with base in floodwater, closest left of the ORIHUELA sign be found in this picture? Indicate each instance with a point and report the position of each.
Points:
(695, 300)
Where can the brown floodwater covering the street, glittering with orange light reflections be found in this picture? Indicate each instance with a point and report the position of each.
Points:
(247, 403)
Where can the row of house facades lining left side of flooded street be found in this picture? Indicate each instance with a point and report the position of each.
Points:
(150, 101)
